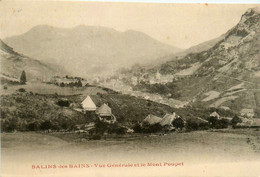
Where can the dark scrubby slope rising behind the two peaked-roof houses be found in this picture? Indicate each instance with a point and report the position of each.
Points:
(43, 105)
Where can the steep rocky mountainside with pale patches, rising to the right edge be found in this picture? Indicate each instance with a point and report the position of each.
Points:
(226, 75)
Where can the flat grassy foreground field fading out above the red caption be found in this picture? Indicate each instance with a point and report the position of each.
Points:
(235, 144)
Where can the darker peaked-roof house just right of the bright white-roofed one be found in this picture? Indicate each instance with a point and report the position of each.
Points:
(105, 114)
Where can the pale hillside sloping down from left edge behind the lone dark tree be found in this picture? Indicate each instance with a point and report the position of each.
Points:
(13, 63)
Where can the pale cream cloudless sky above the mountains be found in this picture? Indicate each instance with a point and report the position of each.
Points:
(180, 25)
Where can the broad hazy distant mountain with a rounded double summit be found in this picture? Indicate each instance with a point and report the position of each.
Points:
(89, 49)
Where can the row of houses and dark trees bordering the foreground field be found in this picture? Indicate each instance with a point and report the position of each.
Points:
(102, 117)
